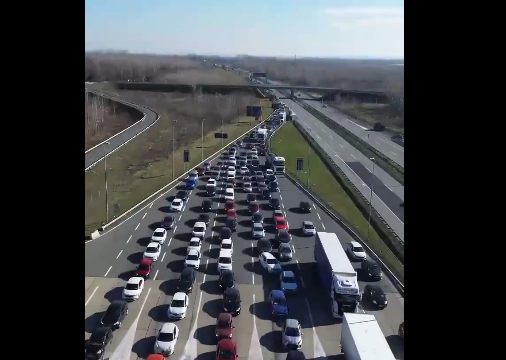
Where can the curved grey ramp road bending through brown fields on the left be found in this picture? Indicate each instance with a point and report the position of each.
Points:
(98, 153)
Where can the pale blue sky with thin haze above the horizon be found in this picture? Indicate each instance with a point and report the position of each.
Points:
(323, 28)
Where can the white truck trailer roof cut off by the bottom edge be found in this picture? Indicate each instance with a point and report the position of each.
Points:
(362, 339)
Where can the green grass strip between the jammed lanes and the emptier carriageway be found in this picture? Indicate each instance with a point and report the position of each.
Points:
(291, 144)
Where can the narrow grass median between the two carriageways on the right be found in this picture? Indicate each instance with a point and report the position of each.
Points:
(388, 165)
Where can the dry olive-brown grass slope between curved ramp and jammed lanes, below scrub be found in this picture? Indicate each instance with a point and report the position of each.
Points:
(144, 166)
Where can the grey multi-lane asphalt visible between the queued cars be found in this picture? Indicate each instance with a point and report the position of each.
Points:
(110, 260)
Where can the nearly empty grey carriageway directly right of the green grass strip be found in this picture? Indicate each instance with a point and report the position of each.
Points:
(388, 193)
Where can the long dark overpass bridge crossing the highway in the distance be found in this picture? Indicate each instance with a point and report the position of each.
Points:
(328, 93)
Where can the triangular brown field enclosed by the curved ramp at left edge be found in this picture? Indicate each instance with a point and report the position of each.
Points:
(103, 119)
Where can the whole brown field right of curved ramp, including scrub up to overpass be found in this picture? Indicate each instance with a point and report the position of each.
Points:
(144, 166)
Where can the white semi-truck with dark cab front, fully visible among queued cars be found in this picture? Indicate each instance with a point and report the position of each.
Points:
(337, 274)
